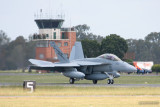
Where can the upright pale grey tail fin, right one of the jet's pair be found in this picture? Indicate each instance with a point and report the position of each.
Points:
(77, 51)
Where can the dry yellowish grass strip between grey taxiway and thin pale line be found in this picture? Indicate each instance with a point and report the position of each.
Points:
(78, 91)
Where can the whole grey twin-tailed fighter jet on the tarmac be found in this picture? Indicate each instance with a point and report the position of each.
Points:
(78, 68)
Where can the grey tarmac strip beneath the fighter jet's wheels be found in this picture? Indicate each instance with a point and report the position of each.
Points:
(84, 85)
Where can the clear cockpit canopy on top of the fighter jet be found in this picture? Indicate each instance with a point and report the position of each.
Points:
(110, 57)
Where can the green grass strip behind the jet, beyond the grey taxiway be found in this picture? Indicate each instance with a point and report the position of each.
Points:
(59, 78)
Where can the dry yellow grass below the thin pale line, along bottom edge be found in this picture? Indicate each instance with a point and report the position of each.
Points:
(123, 101)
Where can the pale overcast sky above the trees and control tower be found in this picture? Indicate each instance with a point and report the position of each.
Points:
(127, 18)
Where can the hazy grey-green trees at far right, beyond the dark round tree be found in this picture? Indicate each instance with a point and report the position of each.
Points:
(147, 49)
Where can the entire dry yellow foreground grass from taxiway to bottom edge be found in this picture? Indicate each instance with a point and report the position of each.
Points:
(80, 97)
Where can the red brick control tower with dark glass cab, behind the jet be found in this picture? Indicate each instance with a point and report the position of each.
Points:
(51, 30)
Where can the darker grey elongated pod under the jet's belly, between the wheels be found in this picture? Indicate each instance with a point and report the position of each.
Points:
(96, 76)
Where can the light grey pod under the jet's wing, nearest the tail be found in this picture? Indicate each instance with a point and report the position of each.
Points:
(74, 74)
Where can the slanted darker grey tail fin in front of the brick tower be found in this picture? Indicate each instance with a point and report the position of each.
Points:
(61, 56)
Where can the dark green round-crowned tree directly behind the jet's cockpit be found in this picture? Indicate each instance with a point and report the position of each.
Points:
(114, 44)
